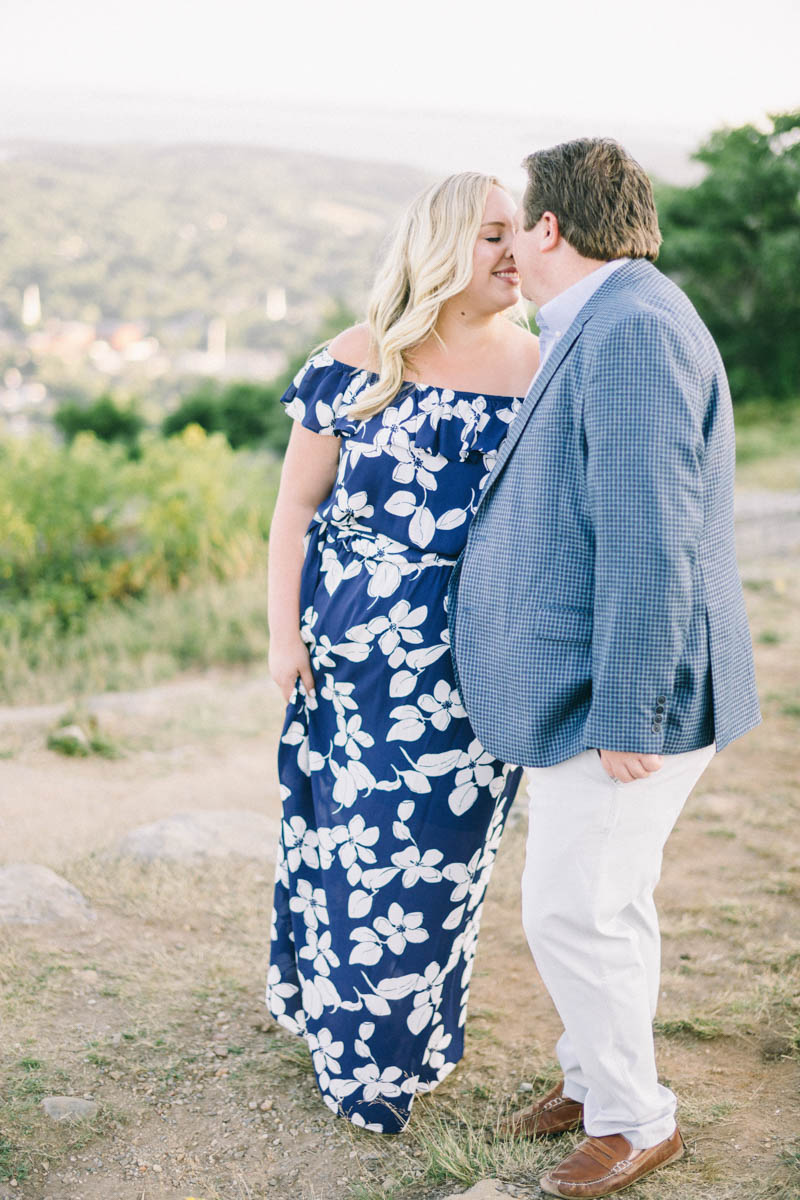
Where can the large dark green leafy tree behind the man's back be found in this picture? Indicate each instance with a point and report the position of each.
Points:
(733, 244)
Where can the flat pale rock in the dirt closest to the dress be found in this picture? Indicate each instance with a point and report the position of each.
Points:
(188, 837)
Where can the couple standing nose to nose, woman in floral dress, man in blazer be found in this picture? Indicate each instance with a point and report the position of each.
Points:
(495, 555)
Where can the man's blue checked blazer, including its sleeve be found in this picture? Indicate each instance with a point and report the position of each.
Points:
(598, 603)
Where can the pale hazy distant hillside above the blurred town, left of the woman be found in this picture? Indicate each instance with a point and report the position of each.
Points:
(171, 237)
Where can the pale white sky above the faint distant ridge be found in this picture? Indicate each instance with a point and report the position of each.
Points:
(682, 63)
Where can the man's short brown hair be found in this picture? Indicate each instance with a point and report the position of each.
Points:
(603, 199)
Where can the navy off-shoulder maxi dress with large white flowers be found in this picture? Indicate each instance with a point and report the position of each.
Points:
(393, 812)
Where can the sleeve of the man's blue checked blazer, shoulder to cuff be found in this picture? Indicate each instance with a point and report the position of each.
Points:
(643, 424)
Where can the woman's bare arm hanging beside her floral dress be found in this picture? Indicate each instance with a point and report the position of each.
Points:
(308, 478)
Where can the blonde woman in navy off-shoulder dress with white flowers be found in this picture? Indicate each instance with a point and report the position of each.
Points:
(393, 811)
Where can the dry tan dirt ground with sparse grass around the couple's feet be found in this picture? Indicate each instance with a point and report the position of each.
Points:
(154, 1010)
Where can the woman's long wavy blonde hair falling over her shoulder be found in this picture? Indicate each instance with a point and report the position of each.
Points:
(430, 261)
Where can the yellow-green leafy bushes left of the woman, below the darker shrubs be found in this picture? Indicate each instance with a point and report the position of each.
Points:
(83, 525)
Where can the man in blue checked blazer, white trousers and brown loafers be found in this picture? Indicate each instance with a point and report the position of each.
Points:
(600, 635)
